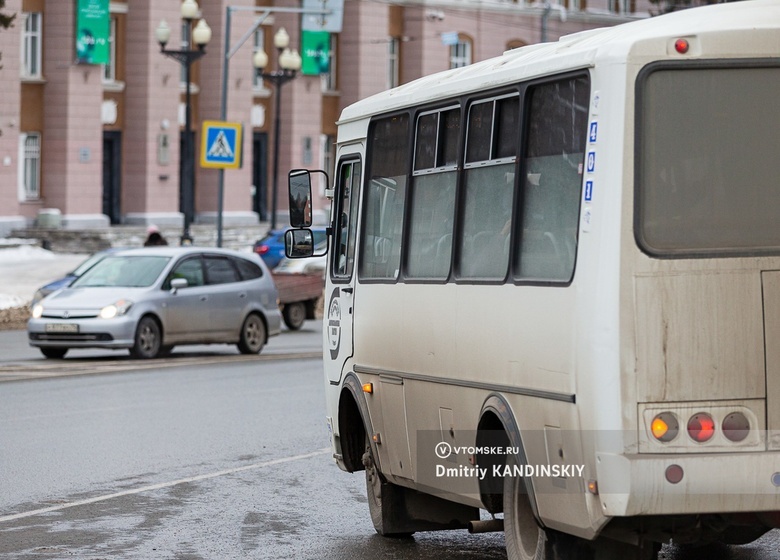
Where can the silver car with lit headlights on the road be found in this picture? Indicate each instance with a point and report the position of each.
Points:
(150, 300)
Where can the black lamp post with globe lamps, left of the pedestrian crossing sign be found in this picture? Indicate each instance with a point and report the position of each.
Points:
(201, 35)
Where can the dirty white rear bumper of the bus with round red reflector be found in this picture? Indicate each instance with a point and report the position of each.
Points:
(632, 485)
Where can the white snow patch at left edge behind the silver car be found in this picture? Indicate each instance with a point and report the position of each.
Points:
(26, 268)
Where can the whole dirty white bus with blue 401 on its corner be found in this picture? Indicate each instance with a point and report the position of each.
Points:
(553, 295)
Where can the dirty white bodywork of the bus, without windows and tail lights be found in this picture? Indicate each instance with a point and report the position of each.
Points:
(584, 367)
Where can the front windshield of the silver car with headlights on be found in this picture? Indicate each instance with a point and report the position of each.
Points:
(123, 271)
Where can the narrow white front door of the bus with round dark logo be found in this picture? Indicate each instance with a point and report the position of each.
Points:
(341, 300)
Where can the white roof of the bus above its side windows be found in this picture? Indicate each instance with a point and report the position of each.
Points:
(578, 50)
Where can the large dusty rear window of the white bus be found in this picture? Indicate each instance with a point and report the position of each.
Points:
(708, 161)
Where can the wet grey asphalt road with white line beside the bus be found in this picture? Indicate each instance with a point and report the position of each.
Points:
(208, 455)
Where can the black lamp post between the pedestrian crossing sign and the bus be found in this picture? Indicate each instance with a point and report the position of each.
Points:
(289, 62)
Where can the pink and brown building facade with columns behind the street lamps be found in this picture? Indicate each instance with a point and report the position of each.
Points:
(94, 145)
